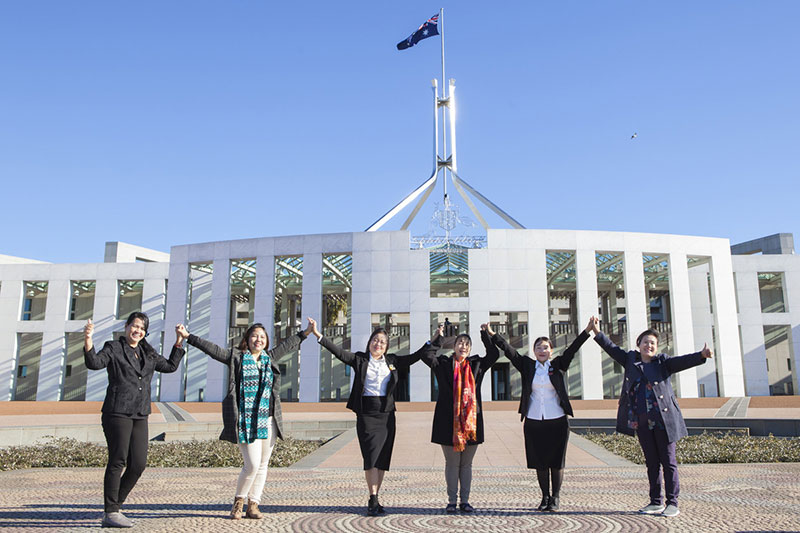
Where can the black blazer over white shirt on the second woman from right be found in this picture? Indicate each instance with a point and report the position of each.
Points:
(527, 368)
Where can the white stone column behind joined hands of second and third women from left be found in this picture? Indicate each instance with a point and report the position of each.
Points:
(312, 306)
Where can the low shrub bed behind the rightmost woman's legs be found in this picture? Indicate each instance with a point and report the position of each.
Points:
(710, 447)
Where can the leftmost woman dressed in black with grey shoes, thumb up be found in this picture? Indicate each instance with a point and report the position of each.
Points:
(130, 362)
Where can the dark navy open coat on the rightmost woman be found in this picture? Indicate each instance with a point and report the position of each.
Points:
(657, 373)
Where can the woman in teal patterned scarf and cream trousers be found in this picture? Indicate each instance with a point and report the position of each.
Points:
(251, 410)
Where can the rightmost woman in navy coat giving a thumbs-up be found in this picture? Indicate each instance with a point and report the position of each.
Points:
(648, 409)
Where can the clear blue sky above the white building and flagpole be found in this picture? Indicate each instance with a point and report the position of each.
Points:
(162, 123)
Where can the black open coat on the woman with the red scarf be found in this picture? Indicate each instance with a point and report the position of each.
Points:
(442, 366)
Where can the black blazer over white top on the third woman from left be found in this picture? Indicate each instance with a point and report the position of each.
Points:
(360, 361)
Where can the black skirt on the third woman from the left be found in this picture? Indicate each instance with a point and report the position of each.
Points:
(376, 430)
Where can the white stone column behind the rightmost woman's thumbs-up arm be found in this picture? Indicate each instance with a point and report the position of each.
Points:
(681, 317)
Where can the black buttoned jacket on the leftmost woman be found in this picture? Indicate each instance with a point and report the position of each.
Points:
(128, 390)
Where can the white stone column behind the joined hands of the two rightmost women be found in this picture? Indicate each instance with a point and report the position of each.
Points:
(586, 287)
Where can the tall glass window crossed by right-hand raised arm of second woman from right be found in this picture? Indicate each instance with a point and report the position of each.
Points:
(563, 311)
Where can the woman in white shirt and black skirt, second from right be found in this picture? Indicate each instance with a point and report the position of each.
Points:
(544, 407)
